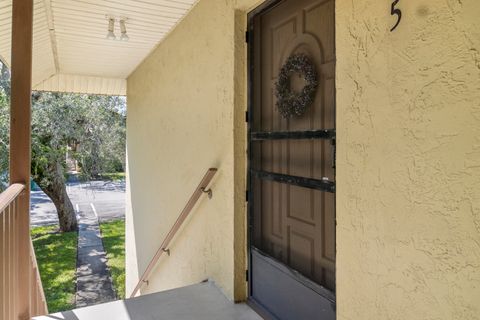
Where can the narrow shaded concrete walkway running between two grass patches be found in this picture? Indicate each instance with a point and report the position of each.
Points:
(94, 284)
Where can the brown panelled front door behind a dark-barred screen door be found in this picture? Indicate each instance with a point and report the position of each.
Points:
(292, 160)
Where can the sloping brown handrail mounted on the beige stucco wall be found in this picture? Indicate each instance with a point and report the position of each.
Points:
(202, 188)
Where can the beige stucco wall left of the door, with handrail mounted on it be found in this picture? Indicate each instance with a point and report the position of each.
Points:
(183, 118)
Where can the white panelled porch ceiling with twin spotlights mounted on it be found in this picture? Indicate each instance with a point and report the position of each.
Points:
(70, 50)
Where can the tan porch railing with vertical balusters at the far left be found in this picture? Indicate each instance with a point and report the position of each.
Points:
(10, 246)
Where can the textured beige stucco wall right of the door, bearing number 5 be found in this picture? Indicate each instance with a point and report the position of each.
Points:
(408, 161)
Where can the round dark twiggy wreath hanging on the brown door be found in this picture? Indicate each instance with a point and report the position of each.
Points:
(291, 103)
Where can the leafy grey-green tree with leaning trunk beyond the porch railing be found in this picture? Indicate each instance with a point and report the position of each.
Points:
(92, 126)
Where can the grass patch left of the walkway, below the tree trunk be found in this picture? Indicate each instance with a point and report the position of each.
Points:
(57, 260)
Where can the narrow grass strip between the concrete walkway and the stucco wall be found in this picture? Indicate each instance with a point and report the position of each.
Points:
(113, 234)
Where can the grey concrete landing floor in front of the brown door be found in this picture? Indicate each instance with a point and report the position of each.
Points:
(198, 302)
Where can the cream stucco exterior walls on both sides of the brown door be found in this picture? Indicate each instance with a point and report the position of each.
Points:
(408, 156)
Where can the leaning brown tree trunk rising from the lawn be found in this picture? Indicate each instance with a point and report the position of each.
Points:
(57, 192)
